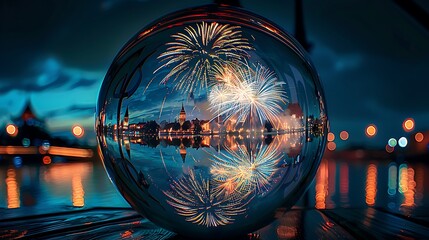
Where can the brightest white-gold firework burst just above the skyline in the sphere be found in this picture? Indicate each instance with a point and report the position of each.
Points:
(246, 93)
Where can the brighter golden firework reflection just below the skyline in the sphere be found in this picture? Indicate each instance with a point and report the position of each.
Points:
(243, 171)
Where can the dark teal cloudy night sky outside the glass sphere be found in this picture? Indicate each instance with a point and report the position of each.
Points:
(372, 58)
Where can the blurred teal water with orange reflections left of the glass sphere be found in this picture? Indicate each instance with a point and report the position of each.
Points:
(39, 188)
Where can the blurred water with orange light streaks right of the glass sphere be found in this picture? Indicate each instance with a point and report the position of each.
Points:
(362, 183)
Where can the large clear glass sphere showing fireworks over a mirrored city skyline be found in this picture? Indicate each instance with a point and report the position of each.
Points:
(211, 119)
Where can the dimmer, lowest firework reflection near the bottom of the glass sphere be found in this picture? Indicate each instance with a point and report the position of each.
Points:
(192, 196)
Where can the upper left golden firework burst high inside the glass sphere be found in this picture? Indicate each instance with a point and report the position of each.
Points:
(195, 51)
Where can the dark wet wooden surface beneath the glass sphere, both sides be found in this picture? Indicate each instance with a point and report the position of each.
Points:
(124, 223)
